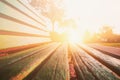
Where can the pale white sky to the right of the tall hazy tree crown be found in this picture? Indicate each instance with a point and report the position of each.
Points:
(93, 14)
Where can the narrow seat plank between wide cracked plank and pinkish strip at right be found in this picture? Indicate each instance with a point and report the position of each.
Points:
(111, 62)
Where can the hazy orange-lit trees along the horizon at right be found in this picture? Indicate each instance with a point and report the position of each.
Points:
(105, 34)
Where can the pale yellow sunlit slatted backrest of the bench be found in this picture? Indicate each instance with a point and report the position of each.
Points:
(20, 25)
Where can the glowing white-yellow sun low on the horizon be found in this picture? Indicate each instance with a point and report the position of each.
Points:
(70, 35)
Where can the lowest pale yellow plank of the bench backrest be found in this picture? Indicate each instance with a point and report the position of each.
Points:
(7, 41)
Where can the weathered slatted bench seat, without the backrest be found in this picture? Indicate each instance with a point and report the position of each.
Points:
(50, 62)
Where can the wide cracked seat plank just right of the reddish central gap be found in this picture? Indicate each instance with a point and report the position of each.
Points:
(89, 68)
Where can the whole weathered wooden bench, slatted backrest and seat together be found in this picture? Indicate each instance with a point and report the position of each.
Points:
(21, 26)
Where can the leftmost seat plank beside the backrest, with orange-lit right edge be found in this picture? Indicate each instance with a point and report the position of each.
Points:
(19, 65)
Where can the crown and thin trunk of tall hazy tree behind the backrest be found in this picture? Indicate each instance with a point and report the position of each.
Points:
(53, 9)
